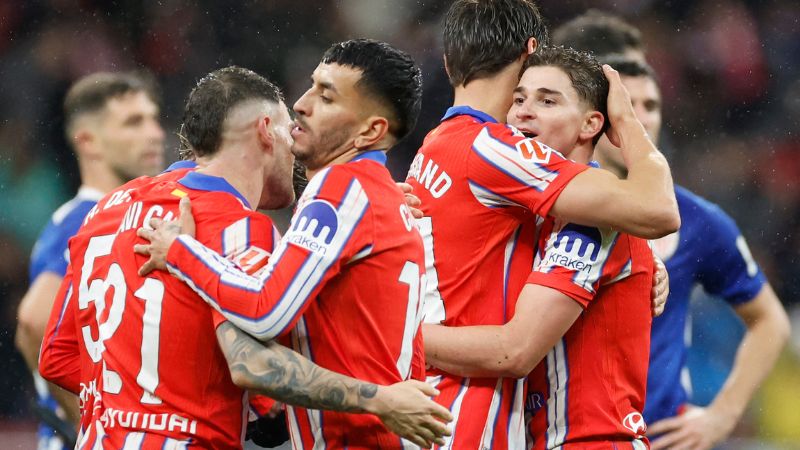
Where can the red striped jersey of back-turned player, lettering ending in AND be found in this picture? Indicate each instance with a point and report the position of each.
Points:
(482, 186)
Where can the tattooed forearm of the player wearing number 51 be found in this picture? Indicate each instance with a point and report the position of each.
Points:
(287, 376)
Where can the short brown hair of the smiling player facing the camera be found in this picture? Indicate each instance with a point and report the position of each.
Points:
(585, 73)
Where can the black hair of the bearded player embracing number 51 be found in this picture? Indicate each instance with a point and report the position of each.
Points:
(388, 74)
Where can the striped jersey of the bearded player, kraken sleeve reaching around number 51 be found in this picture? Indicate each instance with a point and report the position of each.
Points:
(342, 287)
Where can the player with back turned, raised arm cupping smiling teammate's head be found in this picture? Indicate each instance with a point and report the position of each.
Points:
(495, 180)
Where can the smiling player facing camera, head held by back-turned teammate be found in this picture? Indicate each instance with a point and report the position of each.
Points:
(590, 285)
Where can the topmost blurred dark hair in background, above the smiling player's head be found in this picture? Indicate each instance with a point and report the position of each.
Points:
(599, 33)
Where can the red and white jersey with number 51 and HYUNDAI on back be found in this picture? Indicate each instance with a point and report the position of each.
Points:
(159, 376)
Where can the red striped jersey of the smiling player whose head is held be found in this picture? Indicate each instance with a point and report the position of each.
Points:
(589, 391)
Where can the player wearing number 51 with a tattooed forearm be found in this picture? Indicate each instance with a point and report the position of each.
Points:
(159, 377)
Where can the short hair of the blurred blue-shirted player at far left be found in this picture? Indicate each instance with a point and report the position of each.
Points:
(91, 93)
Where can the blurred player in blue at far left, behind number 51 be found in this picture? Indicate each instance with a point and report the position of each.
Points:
(112, 125)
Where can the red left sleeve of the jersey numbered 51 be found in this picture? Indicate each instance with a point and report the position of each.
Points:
(59, 356)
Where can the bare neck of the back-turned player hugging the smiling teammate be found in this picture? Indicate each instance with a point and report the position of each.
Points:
(489, 95)
